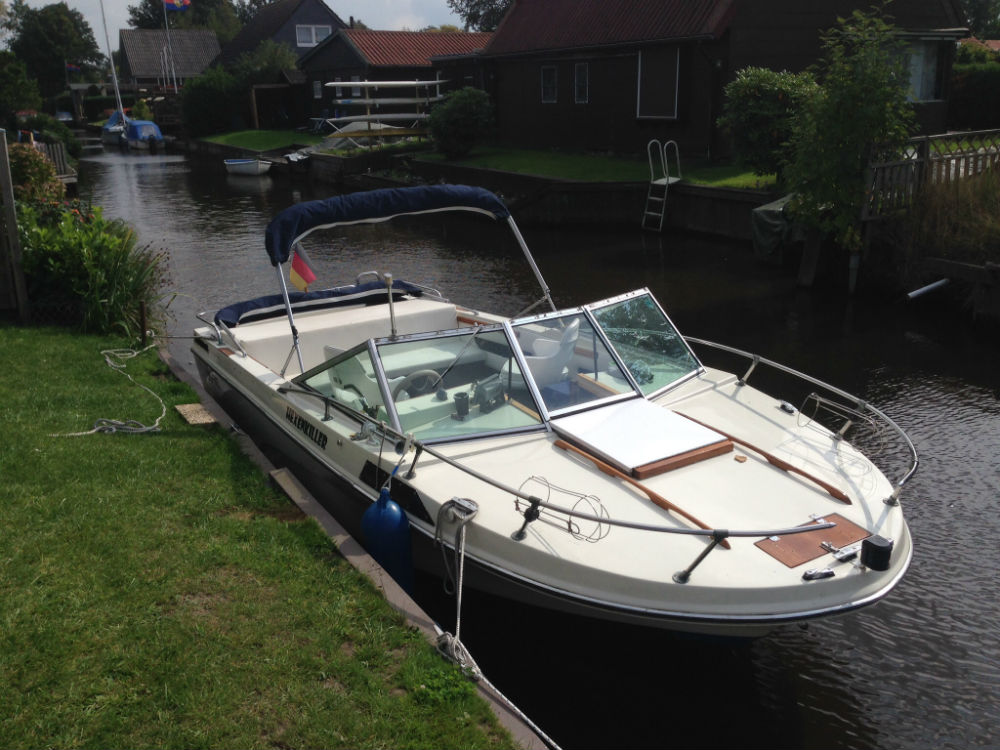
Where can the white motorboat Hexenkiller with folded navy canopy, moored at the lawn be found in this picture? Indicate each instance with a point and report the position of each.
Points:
(582, 459)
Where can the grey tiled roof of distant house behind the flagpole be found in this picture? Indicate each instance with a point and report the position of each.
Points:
(193, 51)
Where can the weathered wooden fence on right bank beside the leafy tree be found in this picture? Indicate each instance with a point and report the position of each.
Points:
(933, 159)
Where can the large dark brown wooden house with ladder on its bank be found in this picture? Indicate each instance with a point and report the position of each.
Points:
(610, 75)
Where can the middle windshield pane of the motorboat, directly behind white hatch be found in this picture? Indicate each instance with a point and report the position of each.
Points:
(569, 362)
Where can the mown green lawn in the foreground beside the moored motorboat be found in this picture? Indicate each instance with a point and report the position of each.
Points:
(157, 592)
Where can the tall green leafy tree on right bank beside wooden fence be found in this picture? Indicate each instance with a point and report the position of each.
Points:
(860, 113)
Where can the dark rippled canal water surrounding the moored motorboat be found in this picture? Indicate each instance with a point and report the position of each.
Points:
(919, 670)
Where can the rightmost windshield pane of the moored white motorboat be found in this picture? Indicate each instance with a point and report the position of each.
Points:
(646, 340)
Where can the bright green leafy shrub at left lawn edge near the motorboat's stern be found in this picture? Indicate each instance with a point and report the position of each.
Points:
(88, 271)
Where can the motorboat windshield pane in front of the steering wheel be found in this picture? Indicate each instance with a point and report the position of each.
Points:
(456, 384)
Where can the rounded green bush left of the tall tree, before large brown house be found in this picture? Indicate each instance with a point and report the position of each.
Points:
(758, 113)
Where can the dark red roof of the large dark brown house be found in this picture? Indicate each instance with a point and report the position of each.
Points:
(529, 24)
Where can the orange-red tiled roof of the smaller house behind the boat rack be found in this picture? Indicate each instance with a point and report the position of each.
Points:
(412, 48)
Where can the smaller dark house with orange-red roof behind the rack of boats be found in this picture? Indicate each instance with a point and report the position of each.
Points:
(356, 55)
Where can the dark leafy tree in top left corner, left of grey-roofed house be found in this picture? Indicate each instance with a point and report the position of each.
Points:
(48, 39)
